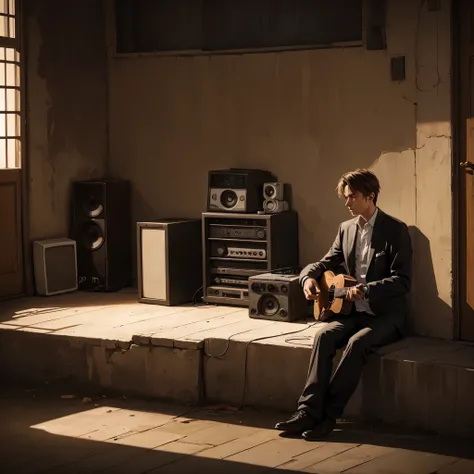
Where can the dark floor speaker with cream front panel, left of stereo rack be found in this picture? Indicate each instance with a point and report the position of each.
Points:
(169, 260)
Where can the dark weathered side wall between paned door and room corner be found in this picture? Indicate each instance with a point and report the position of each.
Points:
(66, 105)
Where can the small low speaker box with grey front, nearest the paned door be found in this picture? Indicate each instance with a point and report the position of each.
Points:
(55, 266)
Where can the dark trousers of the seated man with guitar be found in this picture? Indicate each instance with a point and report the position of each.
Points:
(361, 333)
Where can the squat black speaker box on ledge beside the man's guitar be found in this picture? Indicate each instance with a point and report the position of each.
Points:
(276, 297)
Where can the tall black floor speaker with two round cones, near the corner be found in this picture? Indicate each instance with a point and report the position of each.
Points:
(102, 230)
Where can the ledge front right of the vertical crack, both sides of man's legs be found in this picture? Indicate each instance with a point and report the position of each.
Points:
(415, 382)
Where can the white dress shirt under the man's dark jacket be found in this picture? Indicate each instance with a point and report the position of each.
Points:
(363, 242)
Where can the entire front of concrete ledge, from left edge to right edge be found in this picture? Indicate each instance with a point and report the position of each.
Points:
(416, 382)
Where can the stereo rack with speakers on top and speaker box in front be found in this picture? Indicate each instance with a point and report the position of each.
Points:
(249, 233)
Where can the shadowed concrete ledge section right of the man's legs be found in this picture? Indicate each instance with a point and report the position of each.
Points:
(428, 384)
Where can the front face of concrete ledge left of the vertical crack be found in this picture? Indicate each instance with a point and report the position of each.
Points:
(167, 373)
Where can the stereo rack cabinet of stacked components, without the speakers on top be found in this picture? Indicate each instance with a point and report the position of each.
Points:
(239, 246)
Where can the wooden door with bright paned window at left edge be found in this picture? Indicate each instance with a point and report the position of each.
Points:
(11, 238)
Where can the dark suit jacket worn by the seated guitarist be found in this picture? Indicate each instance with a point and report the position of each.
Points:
(390, 262)
